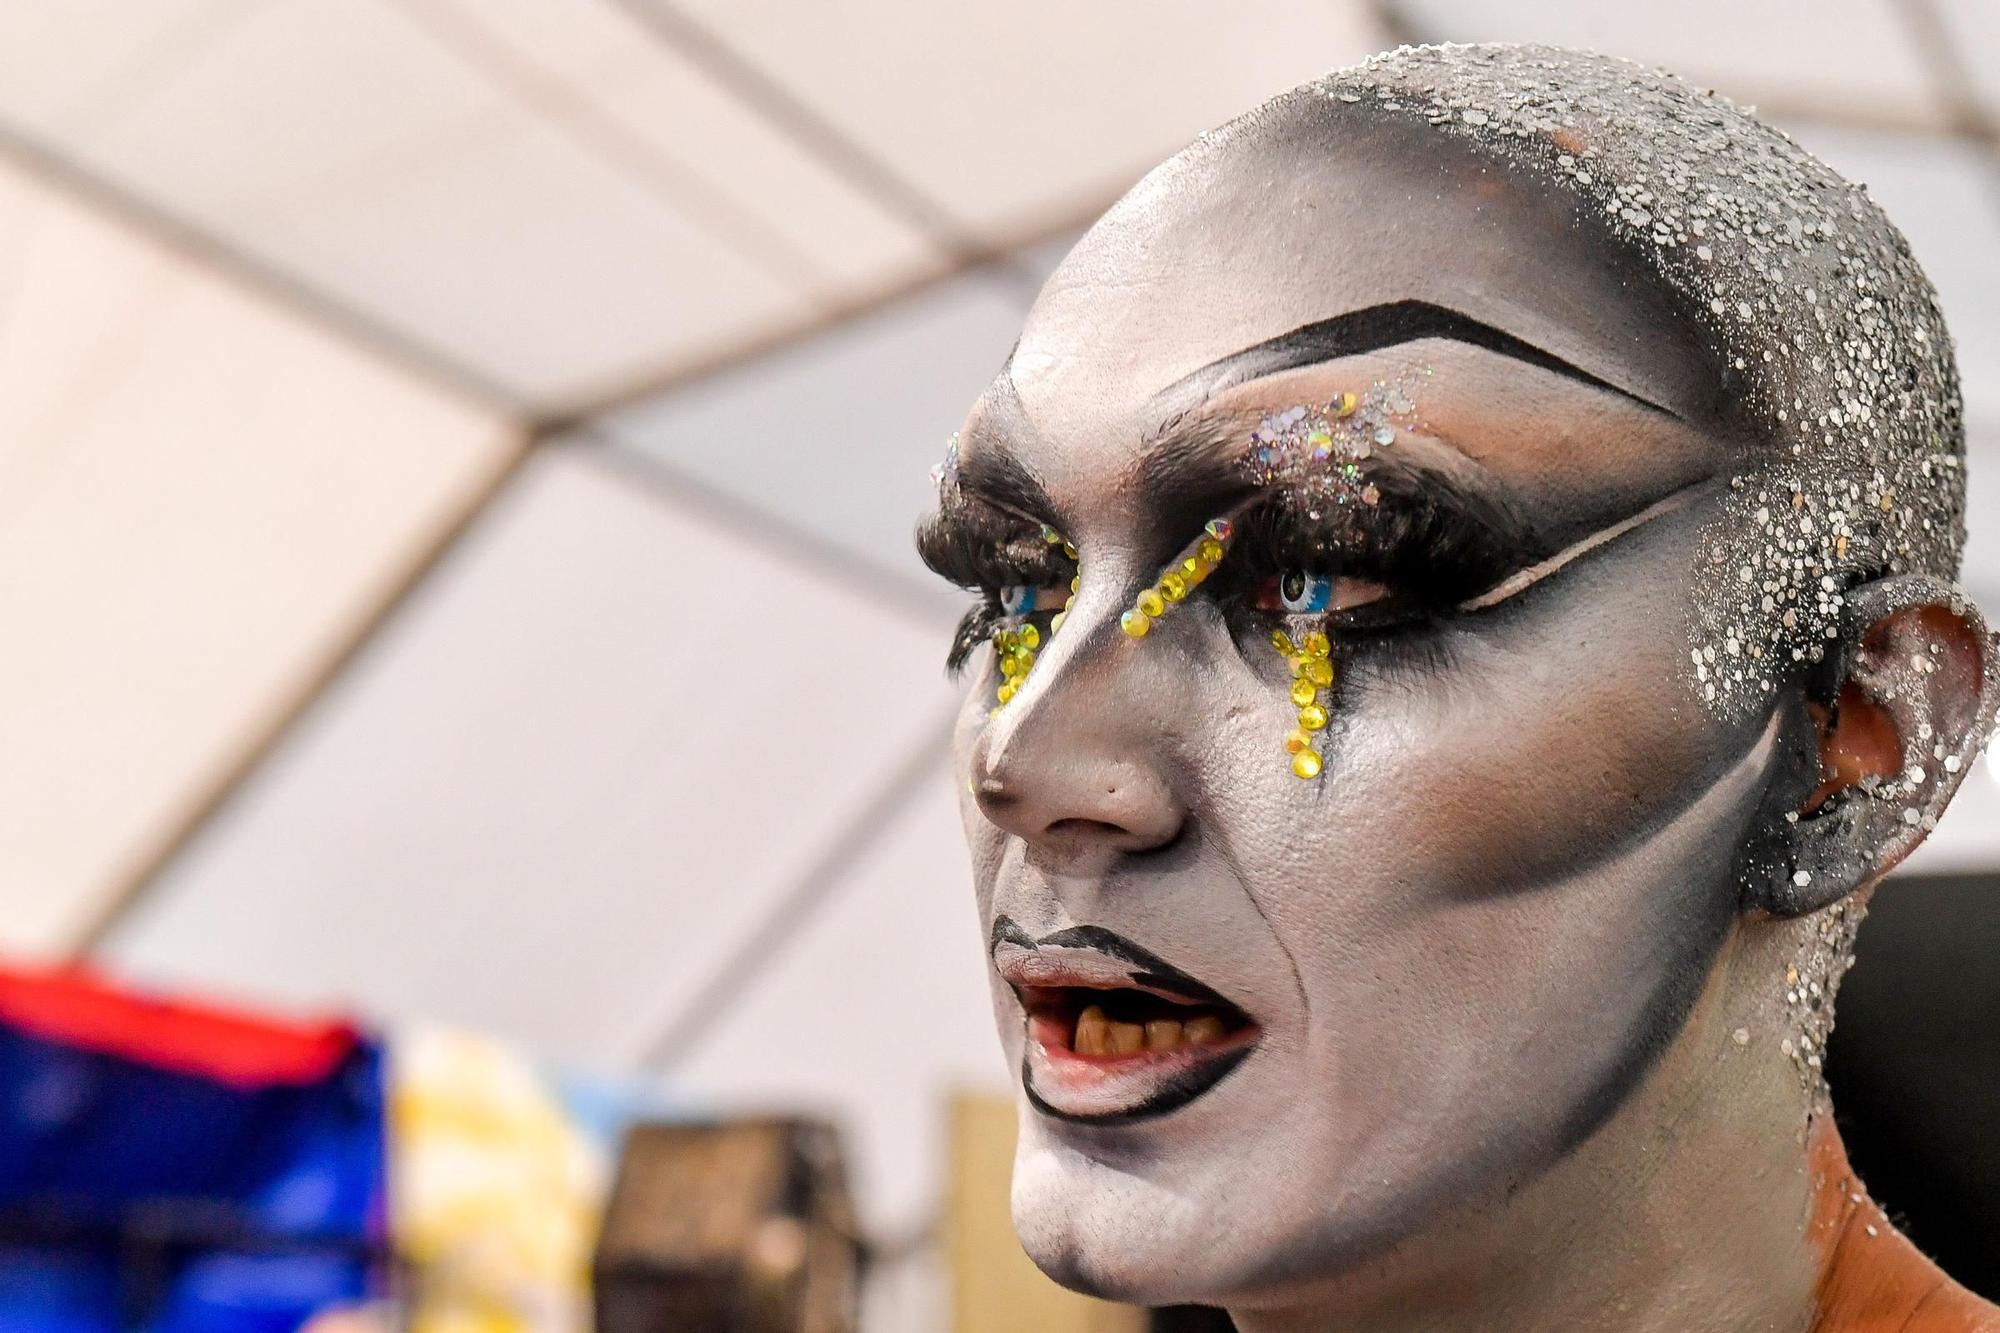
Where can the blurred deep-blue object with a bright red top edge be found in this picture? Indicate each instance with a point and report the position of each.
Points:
(175, 1170)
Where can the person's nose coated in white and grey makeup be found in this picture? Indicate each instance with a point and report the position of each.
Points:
(1077, 764)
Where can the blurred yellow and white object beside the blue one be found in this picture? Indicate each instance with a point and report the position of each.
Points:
(495, 1192)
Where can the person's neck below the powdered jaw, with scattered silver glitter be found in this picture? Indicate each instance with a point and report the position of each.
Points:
(1691, 1210)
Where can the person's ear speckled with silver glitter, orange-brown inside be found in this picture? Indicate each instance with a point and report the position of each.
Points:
(1911, 700)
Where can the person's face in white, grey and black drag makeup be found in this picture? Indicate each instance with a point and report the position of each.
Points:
(1421, 976)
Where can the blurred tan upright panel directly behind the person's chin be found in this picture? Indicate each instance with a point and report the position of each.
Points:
(995, 1286)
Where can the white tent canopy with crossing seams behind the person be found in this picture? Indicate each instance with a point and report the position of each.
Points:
(663, 307)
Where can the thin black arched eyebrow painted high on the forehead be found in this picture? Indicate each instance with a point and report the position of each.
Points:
(1373, 329)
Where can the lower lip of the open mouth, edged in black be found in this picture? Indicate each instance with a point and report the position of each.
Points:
(1119, 1090)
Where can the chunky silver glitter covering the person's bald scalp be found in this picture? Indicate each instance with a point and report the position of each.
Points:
(1815, 307)
